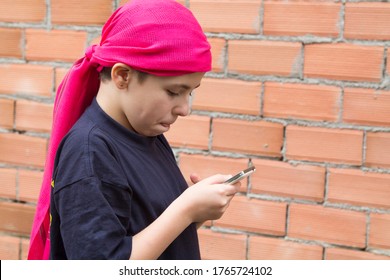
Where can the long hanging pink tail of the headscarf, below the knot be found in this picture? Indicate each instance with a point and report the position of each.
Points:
(69, 105)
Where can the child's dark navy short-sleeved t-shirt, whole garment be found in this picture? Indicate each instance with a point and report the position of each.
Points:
(109, 183)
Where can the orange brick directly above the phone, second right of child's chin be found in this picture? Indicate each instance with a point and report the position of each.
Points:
(251, 137)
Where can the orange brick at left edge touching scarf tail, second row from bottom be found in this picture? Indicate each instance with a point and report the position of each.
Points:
(16, 218)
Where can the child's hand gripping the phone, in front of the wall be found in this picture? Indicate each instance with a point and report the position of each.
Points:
(208, 199)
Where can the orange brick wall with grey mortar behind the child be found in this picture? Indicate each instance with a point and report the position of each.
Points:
(301, 89)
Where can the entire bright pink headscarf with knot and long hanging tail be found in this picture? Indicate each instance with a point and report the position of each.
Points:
(159, 37)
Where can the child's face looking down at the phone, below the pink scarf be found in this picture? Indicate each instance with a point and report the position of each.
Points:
(150, 107)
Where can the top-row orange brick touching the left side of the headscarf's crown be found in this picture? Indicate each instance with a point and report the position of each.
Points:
(86, 12)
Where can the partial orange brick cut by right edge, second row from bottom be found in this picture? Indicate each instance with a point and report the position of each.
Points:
(379, 231)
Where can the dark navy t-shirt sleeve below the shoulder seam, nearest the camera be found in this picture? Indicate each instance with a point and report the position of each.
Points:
(94, 219)
